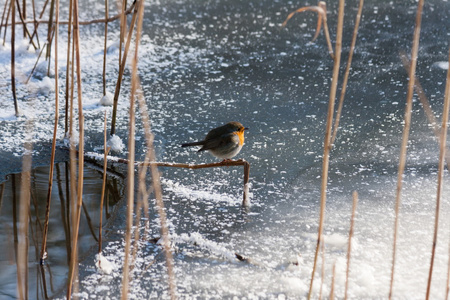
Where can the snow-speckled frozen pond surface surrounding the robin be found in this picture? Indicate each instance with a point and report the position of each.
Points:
(205, 63)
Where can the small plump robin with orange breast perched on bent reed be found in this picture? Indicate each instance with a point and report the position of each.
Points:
(223, 142)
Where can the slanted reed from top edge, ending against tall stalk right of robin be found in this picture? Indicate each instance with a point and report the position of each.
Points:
(347, 71)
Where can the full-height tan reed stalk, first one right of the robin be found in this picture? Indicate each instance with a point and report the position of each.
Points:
(327, 140)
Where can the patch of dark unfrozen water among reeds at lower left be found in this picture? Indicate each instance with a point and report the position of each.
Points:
(46, 281)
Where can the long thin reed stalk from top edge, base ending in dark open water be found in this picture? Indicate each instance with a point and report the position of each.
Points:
(55, 129)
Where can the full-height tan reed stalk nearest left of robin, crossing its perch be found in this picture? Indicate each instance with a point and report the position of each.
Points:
(131, 156)
